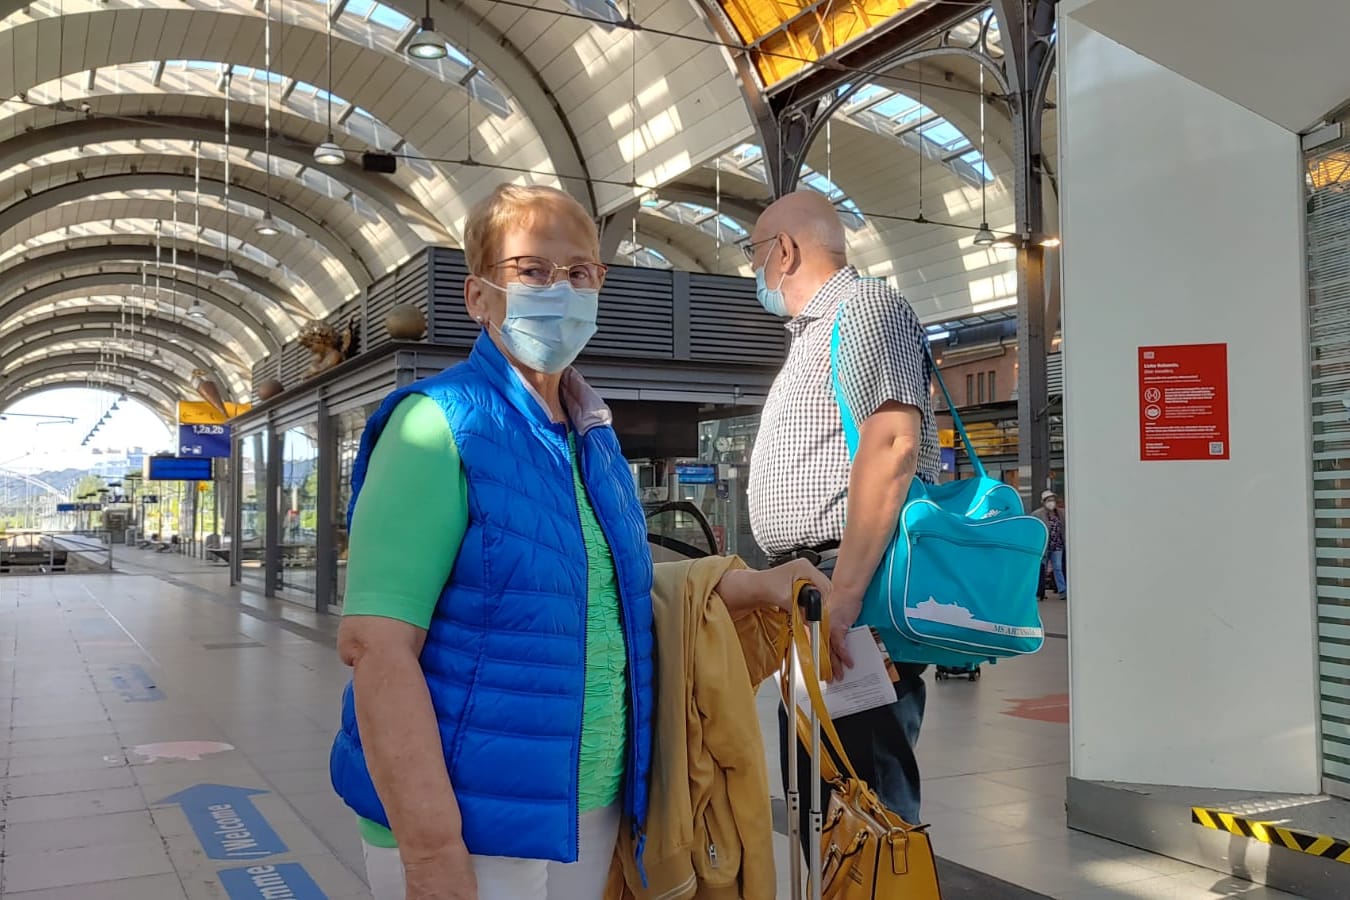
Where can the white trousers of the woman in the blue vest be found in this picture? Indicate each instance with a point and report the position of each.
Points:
(511, 879)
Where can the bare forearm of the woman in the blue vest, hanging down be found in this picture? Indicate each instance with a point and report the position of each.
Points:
(404, 754)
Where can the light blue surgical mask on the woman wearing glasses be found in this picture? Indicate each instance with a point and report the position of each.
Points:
(546, 329)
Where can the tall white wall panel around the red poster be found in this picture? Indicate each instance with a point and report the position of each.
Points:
(1191, 615)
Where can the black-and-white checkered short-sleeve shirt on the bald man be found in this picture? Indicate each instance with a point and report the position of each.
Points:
(800, 468)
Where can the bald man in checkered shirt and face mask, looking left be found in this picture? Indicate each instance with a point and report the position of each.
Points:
(807, 501)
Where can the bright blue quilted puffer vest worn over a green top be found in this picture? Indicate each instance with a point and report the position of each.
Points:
(506, 655)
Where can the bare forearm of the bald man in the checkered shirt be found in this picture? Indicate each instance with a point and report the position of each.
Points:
(878, 486)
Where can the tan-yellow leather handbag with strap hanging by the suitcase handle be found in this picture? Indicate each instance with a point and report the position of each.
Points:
(867, 852)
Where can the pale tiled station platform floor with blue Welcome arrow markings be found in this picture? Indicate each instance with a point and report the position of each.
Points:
(165, 737)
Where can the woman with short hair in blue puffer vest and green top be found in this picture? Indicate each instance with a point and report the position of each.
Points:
(499, 728)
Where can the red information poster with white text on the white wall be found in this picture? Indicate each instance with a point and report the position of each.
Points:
(1185, 403)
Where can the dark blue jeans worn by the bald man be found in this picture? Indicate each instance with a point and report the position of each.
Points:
(880, 744)
